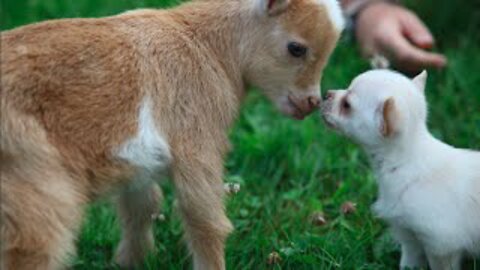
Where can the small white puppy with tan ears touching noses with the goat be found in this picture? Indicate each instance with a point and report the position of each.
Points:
(429, 191)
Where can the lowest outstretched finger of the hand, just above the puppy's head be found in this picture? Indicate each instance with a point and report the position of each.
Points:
(406, 55)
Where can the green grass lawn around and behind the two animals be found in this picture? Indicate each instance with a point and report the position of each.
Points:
(289, 169)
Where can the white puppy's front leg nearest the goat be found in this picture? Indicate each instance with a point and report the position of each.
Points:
(413, 255)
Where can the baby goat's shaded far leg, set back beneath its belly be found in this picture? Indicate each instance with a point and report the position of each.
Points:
(136, 208)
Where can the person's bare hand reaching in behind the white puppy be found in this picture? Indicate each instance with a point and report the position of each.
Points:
(398, 34)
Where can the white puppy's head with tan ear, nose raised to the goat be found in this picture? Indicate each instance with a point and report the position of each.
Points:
(378, 106)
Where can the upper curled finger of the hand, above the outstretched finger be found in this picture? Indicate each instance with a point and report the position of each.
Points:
(416, 31)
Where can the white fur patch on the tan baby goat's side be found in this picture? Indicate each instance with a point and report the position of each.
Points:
(148, 149)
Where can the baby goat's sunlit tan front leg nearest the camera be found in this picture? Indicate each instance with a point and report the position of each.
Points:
(200, 190)
